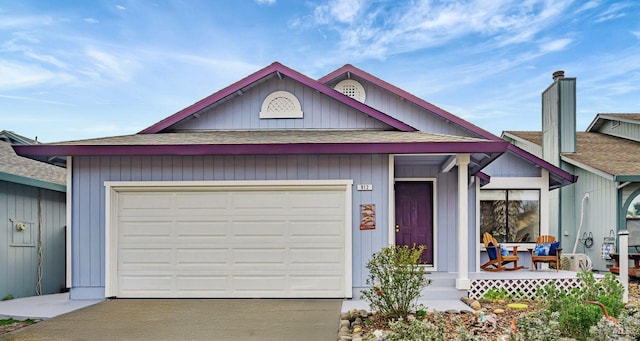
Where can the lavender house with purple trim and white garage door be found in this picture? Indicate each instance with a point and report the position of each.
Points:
(280, 185)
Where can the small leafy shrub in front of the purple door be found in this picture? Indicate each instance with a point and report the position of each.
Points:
(395, 280)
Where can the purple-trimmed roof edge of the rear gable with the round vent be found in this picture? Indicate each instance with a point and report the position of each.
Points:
(350, 69)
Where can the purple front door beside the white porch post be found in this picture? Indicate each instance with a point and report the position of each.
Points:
(414, 216)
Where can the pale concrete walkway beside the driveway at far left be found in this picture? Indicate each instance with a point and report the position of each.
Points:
(41, 307)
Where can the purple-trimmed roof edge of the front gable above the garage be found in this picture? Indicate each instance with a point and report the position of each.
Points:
(279, 70)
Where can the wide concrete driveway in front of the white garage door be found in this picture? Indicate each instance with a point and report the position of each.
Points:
(192, 319)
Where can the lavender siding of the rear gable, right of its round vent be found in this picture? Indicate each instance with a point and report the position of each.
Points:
(408, 112)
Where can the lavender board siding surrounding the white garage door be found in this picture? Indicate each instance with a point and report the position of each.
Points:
(88, 197)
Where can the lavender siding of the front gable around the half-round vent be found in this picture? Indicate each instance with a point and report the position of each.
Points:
(320, 112)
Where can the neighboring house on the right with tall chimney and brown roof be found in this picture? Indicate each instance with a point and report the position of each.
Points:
(606, 159)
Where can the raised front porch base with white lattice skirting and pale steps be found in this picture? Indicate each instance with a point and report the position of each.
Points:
(442, 294)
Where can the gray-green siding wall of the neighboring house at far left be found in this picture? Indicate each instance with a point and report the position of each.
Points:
(18, 249)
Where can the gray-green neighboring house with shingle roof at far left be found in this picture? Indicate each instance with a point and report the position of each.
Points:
(32, 221)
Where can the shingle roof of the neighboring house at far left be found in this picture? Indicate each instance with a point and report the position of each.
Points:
(11, 163)
